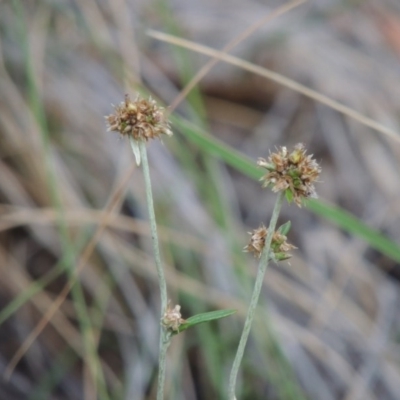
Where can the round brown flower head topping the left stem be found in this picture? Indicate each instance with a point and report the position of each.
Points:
(140, 119)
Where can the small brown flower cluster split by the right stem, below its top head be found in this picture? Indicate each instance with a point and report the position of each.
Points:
(279, 246)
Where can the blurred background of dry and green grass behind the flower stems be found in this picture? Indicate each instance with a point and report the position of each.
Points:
(73, 217)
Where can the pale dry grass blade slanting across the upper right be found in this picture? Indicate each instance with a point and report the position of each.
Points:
(278, 78)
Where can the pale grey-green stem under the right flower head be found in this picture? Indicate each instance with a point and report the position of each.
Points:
(255, 296)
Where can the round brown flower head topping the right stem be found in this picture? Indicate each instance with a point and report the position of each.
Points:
(294, 172)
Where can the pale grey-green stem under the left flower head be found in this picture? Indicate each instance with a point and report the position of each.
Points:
(164, 334)
